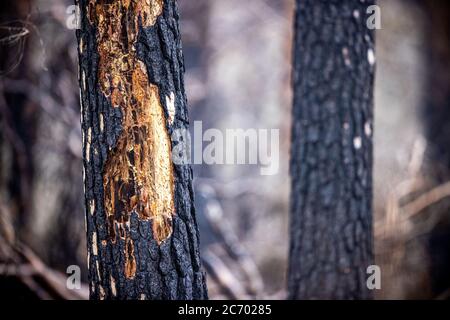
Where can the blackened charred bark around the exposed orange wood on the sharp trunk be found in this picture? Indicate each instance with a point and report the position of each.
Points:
(167, 269)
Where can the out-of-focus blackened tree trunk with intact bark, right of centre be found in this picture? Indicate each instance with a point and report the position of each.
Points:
(331, 160)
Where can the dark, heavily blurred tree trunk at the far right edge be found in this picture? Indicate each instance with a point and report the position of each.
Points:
(436, 115)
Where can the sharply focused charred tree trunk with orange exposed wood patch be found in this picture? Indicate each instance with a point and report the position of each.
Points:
(141, 227)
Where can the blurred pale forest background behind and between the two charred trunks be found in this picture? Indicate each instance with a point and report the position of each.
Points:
(238, 63)
